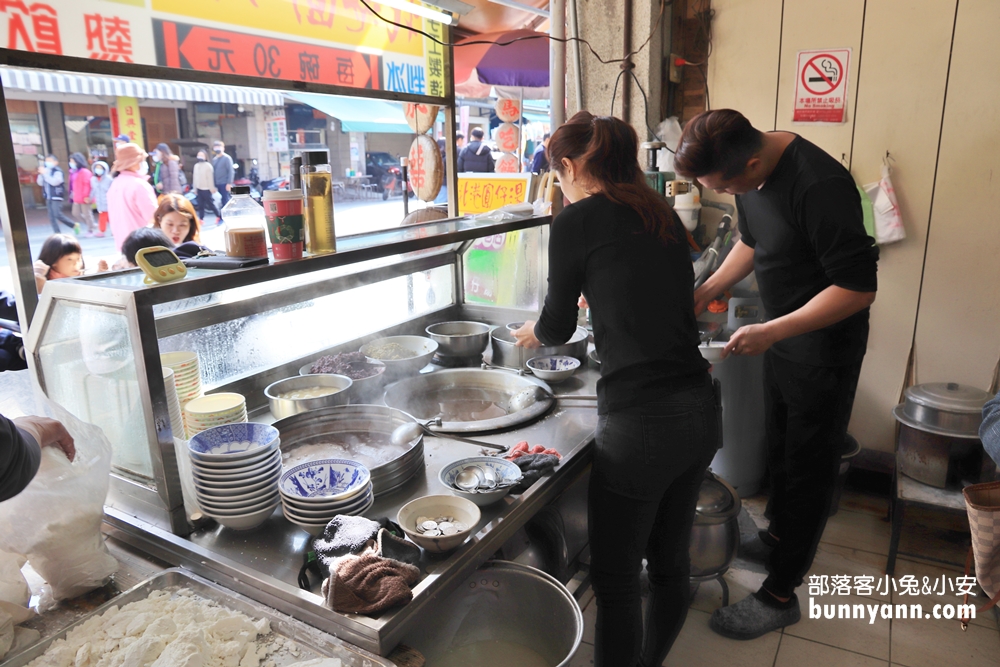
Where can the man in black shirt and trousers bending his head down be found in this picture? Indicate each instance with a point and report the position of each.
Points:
(802, 233)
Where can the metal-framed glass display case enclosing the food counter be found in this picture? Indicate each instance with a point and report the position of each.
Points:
(96, 340)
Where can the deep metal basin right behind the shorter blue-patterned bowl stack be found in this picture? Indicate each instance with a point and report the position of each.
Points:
(342, 432)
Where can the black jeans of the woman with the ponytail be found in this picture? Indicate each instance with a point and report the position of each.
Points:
(649, 462)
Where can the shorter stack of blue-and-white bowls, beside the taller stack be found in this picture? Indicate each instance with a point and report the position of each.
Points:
(314, 492)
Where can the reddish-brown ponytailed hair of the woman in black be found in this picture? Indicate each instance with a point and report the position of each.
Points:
(607, 150)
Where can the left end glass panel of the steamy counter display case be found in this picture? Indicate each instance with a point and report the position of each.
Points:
(88, 366)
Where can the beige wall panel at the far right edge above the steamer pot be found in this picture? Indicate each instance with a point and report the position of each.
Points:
(958, 326)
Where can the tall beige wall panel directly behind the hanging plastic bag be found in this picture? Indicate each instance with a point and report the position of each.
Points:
(900, 97)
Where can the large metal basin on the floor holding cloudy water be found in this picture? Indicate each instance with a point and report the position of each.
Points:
(502, 614)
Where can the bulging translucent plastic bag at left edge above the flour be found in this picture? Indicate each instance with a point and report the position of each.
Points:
(56, 521)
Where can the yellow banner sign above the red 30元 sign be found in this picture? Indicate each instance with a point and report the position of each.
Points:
(344, 22)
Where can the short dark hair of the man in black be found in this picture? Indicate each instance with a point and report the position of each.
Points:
(719, 141)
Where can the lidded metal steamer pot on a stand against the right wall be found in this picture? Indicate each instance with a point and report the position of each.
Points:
(939, 434)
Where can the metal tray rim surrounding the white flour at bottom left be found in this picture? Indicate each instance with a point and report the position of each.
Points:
(312, 643)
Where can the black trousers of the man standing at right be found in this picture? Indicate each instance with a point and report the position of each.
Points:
(807, 410)
